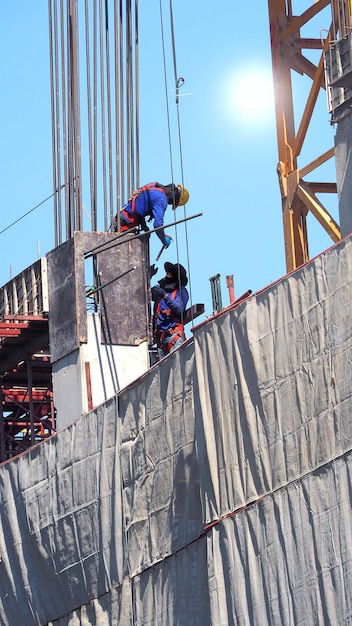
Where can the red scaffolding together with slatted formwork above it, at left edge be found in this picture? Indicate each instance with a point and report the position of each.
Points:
(27, 414)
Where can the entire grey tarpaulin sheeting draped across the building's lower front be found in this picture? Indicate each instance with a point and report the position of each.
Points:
(214, 490)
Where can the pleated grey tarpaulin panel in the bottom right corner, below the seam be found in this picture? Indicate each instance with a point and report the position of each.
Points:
(288, 558)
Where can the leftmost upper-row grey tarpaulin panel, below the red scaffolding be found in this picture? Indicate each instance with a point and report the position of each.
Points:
(57, 506)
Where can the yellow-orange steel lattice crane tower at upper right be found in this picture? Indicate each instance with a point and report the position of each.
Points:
(298, 196)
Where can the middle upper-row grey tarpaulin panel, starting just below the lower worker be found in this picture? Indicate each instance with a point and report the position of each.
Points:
(159, 465)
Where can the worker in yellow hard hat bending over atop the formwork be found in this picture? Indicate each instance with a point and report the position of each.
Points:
(151, 201)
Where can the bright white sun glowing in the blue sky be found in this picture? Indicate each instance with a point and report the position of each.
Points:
(249, 95)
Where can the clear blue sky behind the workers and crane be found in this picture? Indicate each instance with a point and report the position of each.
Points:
(228, 134)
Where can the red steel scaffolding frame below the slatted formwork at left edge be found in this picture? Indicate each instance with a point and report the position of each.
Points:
(27, 414)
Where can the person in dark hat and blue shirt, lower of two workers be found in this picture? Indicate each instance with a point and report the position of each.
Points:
(170, 298)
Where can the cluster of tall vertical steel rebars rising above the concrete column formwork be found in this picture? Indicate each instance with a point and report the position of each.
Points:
(112, 97)
